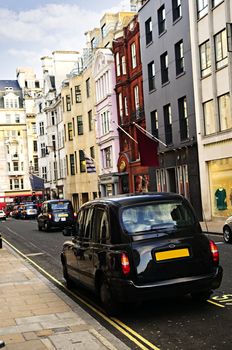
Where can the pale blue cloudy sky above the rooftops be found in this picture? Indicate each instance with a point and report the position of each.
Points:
(31, 29)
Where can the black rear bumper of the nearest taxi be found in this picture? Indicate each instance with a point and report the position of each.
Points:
(127, 290)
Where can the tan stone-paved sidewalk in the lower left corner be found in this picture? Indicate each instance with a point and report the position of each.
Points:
(36, 315)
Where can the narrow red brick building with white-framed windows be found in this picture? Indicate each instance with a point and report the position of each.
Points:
(129, 92)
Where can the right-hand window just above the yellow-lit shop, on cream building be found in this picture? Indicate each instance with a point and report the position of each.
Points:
(224, 112)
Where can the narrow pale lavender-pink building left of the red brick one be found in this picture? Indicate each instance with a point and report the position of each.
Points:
(106, 121)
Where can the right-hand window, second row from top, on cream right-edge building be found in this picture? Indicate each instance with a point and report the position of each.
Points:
(220, 41)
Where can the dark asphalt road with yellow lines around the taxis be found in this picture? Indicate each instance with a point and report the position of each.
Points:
(161, 324)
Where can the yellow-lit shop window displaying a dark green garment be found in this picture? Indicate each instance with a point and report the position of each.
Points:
(221, 187)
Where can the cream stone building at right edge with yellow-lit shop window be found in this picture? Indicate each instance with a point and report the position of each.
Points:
(210, 23)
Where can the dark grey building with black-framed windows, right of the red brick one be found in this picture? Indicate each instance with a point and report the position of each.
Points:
(169, 97)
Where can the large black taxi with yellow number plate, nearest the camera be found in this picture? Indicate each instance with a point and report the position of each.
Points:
(137, 247)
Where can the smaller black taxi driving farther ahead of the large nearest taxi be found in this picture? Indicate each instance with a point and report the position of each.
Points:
(57, 213)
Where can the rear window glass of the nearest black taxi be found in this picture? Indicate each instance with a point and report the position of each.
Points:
(156, 216)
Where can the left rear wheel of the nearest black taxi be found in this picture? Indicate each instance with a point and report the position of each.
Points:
(110, 305)
